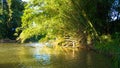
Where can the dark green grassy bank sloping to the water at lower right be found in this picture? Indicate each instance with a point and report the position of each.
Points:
(111, 47)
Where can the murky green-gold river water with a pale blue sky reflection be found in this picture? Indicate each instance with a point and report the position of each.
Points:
(25, 56)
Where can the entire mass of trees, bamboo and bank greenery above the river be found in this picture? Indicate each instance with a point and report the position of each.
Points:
(93, 24)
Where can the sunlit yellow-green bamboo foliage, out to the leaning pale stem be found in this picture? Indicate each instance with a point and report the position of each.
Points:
(57, 18)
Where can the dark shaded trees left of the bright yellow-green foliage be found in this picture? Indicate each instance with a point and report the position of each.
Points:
(10, 17)
